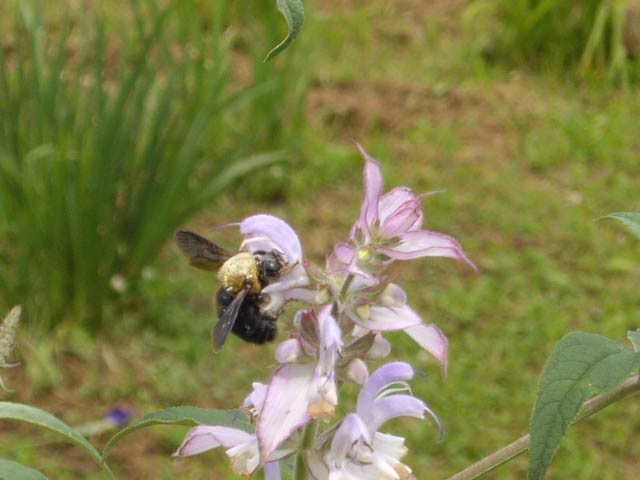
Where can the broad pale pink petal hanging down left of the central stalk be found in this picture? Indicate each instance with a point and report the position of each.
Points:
(285, 407)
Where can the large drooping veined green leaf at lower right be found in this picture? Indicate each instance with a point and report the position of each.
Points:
(581, 364)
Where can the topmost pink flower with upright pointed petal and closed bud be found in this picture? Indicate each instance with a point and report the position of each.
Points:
(390, 225)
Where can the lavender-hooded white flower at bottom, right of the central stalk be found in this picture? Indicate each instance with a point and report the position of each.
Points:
(357, 449)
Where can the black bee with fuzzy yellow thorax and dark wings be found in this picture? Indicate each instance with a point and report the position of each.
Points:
(242, 276)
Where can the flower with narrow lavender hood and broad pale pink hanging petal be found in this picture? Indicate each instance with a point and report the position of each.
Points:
(298, 393)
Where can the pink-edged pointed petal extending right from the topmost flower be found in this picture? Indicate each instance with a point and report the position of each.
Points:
(421, 243)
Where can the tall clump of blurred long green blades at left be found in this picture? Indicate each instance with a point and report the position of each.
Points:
(112, 134)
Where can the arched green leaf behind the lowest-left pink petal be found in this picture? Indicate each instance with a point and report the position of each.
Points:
(183, 416)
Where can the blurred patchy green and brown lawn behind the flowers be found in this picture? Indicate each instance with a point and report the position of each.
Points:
(529, 162)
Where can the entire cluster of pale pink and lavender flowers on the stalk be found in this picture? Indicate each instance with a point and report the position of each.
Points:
(351, 304)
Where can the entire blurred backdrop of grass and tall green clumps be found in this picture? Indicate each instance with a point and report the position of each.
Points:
(124, 120)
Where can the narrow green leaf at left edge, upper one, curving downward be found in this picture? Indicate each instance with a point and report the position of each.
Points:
(35, 416)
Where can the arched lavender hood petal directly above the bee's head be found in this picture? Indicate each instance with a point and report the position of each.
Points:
(276, 230)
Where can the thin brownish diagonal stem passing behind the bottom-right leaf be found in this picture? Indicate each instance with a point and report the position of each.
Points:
(522, 444)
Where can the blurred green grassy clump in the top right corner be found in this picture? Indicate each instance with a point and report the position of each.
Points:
(587, 36)
